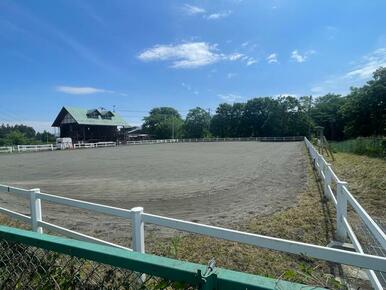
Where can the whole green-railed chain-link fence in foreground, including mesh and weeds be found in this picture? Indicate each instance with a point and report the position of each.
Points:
(30, 260)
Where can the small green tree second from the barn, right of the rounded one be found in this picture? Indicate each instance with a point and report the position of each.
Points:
(197, 123)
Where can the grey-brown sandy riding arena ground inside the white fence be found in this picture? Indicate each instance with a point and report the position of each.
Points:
(214, 183)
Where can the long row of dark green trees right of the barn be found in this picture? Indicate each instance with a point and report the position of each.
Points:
(362, 112)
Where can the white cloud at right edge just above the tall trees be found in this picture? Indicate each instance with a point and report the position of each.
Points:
(368, 65)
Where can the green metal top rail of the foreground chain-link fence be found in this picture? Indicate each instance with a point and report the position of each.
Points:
(163, 267)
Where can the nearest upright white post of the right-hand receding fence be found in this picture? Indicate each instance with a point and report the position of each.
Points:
(341, 211)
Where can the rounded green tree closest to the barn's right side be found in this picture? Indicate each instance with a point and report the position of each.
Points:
(163, 123)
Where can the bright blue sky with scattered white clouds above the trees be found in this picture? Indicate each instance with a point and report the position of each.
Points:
(136, 55)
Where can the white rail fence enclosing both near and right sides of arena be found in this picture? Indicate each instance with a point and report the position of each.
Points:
(138, 218)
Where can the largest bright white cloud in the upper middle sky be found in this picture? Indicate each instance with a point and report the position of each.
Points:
(187, 55)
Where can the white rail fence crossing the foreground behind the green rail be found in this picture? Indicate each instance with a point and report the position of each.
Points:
(138, 218)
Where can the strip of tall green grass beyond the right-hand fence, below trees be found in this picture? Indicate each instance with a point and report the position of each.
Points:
(373, 147)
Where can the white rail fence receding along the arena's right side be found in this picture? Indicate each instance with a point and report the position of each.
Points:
(341, 198)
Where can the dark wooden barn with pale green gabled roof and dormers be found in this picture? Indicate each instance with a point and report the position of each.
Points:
(92, 125)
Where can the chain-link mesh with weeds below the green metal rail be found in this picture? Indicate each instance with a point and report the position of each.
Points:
(27, 267)
